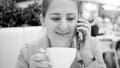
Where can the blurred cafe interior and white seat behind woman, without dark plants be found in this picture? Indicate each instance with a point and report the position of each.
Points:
(103, 13)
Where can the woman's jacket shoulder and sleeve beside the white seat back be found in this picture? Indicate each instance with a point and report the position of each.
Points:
(26, 52)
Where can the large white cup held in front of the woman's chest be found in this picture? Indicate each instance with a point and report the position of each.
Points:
(61, 57)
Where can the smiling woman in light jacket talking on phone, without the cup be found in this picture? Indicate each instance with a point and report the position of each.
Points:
(59, 18)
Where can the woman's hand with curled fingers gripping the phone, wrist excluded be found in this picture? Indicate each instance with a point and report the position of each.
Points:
(85, 28)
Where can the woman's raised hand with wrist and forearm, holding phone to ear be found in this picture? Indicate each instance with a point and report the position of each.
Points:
(85, 46)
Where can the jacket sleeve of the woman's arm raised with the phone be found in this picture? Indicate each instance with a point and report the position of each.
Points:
(97, 53)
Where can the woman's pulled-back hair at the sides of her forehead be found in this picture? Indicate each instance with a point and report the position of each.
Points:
(45, 6)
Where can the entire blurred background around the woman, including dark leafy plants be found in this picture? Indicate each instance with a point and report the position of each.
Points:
(20, 23)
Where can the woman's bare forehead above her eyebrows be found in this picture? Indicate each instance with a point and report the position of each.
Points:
(62, 6)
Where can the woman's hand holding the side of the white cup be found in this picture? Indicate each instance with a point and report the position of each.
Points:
(40, 60)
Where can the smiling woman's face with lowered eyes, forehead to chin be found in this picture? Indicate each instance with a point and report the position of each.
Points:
(60, 20)
